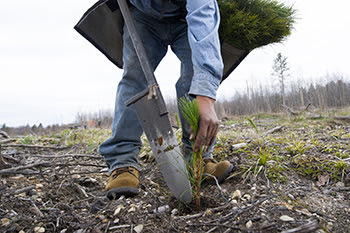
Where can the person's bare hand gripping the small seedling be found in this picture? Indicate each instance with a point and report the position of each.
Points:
(208, 124)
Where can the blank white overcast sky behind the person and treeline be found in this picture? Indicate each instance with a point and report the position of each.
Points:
(49, 73)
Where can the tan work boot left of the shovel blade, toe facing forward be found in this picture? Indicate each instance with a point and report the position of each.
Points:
(123, 181)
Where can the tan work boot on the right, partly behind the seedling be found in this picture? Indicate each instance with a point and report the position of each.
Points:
(220, 170)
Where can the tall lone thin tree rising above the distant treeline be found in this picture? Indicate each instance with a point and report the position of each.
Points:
(280, 70)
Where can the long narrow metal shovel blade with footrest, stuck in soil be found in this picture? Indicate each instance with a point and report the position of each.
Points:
(163, 142)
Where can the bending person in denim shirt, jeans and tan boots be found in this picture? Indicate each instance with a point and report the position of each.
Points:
(191, 30)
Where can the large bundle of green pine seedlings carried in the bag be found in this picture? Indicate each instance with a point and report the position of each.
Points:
(249, 24)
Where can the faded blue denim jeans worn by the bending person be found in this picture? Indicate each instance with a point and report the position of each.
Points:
(124, 145)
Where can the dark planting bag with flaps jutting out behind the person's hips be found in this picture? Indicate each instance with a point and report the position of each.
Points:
(102, 25)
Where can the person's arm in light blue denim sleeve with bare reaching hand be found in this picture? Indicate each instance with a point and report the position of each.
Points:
(203, 20)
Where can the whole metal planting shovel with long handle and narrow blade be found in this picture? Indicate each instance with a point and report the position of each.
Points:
(153, 115)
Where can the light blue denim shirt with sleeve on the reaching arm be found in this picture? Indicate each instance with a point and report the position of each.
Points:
(203, 19)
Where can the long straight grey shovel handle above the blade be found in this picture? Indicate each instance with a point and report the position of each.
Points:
(136, 40)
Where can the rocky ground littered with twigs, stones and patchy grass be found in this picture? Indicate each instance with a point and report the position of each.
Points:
(291, 175)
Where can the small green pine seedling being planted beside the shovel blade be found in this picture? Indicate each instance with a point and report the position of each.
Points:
(190, 111)
